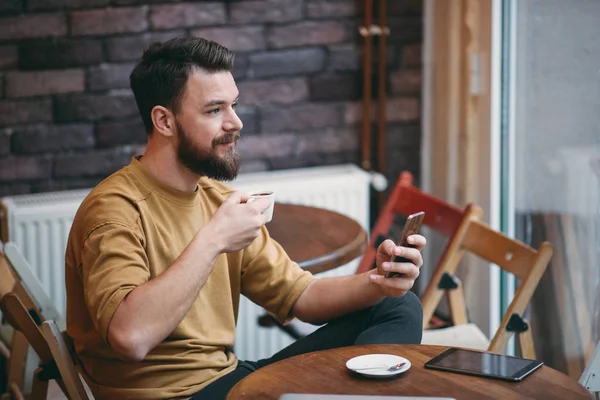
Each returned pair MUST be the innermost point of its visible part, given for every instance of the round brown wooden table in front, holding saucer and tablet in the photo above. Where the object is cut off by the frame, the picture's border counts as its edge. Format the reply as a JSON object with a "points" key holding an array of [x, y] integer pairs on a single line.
{"points": [[325, 372]]}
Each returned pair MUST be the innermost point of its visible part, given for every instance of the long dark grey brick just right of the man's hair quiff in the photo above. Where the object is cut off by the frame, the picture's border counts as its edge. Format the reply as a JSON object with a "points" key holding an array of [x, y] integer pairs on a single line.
{"points": [[286, 62]]}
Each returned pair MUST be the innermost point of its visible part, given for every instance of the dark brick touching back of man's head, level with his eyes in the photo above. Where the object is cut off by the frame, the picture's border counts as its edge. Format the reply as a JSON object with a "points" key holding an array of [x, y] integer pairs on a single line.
{"points": [[92, 107]]}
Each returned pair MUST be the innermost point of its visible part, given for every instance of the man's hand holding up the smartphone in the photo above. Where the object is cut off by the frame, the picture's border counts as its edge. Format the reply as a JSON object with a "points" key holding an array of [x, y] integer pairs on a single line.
{"points": [[398, 285]]}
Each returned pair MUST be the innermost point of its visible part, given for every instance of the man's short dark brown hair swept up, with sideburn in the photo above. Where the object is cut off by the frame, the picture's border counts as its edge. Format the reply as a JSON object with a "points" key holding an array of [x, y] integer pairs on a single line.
{"points": [[161, 75]]}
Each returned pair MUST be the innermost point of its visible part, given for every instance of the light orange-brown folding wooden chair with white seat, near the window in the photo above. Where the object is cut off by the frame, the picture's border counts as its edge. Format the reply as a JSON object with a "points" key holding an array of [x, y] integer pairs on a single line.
{"points": [[513, 256]]}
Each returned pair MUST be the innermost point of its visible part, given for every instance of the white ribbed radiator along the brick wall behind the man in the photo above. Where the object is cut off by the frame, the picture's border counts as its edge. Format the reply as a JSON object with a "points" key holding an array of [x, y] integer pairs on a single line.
{"points": [[39, 225]]}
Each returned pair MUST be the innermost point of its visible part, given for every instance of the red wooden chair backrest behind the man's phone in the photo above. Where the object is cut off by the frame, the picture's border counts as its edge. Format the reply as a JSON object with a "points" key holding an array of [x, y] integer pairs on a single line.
{"points": [[406, 199]]}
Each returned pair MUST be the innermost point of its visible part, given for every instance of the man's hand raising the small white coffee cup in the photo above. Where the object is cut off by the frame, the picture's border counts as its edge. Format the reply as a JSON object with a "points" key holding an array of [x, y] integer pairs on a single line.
{"points": [[236, 224]]}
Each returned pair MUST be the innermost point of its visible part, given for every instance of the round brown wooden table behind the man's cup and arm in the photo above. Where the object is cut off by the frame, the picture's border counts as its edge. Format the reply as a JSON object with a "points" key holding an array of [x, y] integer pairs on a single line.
{"points": [[317, 239]]}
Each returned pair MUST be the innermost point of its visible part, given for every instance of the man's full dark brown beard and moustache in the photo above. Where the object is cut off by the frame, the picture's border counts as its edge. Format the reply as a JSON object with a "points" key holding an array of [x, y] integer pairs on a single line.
{"points": [[208, 163]]}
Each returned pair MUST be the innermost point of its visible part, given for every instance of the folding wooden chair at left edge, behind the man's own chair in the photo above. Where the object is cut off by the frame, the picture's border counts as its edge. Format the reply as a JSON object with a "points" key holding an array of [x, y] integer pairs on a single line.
{"points": [[16, 277]]}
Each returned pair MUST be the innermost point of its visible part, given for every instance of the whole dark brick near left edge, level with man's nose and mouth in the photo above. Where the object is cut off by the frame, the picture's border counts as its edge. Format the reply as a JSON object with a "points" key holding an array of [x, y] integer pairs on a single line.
{"points": [[52, 138]]}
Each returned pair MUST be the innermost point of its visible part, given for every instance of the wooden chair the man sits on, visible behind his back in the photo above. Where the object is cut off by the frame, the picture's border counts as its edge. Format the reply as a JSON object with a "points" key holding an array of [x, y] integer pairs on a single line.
{"points": [[54, 365]]}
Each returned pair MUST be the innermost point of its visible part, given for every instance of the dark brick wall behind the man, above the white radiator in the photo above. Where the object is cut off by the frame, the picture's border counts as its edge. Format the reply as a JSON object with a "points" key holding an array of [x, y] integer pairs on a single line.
{"points": [[68, 118]]}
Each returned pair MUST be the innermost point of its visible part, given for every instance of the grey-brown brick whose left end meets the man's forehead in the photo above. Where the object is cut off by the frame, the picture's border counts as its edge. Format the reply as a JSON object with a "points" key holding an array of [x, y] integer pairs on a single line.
{"points": [[283, 91]]}
